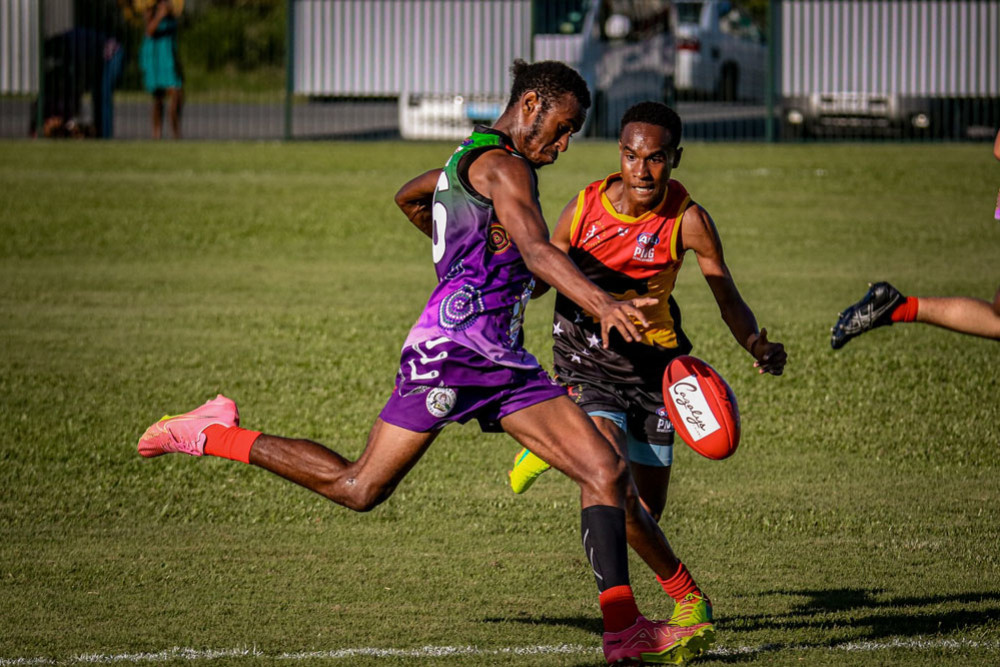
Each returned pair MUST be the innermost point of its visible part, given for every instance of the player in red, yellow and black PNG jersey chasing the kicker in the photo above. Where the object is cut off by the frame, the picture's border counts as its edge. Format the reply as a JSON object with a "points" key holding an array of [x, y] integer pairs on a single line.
{"points": [[629, 234]]}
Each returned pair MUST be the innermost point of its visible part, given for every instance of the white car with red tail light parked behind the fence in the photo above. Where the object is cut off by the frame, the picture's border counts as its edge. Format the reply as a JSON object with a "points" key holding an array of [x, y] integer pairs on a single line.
{"points": [[721, 52]]}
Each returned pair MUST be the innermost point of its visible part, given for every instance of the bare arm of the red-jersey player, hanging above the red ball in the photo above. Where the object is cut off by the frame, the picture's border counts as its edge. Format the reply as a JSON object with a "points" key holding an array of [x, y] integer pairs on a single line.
{"points": [[698, 233]]}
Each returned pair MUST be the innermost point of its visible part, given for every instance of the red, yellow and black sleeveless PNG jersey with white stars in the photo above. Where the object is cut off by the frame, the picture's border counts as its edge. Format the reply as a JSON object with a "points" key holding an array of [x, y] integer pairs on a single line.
{"points": [[627, 257]]}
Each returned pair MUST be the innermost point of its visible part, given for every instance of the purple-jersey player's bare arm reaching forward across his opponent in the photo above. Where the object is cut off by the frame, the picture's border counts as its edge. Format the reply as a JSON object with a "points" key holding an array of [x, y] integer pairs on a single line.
{"points": [[508, 181]]}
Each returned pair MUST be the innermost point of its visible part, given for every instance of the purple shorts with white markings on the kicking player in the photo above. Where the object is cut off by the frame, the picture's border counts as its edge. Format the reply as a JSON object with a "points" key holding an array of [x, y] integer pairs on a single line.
{"points": [[440, 381]]}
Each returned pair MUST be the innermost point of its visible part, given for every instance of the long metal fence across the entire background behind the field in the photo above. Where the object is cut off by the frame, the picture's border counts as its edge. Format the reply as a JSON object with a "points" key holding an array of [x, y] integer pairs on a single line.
{"points": [[297, 69]]}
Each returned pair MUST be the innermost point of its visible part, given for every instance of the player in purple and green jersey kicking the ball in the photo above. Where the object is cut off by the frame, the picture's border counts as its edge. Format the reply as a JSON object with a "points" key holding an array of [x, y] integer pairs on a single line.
{"points": [[464, 358]]}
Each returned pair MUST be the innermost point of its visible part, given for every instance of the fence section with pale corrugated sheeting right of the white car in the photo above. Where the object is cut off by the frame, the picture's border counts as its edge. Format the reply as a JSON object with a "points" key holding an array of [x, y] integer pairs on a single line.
{"points": [[926, 69]]}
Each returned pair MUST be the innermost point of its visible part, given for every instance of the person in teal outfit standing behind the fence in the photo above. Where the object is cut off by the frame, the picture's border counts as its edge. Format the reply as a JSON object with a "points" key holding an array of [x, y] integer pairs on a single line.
{"points": [[161, 66]]}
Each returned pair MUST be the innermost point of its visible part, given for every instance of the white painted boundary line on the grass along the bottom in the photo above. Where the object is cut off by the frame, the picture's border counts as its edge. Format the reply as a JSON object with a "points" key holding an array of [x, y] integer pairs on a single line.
{"points": [[918, 644]]}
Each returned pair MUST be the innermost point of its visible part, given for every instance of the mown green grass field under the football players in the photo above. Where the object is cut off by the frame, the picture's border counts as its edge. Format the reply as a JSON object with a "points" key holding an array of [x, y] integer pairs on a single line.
{"points": [[859, 523]]}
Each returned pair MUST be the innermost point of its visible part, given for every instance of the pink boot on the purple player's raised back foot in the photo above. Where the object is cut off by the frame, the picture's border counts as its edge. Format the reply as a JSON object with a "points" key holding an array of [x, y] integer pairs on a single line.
{"points": [[185, 433]]}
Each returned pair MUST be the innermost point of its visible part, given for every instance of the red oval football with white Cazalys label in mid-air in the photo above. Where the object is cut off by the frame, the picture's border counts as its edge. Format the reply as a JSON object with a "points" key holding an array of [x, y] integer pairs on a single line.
{"points": [[702, 407]]}
